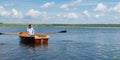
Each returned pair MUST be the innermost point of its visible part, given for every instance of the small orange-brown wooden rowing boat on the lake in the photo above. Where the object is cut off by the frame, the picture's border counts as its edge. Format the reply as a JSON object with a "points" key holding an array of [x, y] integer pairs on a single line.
{"points": [[36, 39]]}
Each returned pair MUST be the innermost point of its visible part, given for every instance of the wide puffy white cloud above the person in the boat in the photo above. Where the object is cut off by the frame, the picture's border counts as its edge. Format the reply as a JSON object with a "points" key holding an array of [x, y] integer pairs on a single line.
{"points": [[35, 14]]}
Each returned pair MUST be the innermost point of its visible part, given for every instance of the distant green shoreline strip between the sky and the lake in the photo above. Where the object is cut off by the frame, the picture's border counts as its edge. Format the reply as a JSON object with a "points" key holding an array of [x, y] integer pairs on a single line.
{"points": [[65, 25]]}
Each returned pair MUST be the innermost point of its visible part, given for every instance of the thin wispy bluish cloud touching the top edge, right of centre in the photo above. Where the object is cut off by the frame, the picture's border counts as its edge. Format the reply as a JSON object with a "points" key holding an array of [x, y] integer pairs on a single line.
{"points": [[72, 4]]}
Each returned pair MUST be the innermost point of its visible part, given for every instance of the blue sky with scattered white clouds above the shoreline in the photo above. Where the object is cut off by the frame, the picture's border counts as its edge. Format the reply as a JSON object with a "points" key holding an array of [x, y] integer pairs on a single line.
{"points": [[60, 11]]}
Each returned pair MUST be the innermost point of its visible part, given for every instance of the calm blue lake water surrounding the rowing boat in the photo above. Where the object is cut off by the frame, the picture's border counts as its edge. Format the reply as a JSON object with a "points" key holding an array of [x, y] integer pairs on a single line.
{"points": [[76, 44]]}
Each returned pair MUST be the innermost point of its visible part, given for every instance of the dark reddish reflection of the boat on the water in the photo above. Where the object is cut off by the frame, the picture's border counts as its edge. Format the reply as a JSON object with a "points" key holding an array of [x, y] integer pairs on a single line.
{"points": [[35, 46]]}
